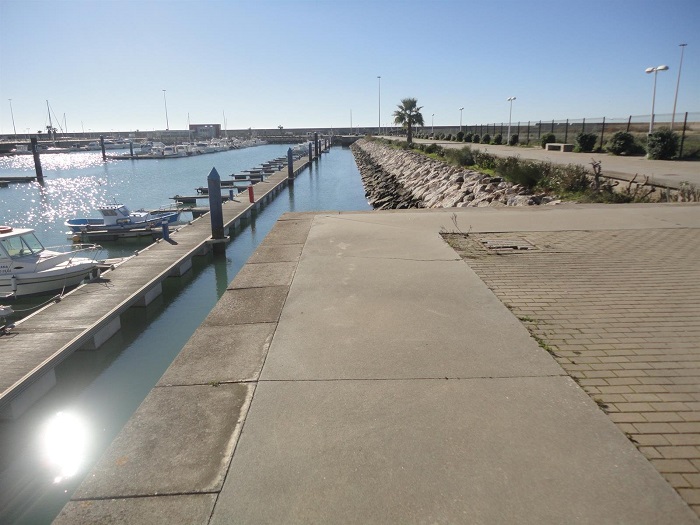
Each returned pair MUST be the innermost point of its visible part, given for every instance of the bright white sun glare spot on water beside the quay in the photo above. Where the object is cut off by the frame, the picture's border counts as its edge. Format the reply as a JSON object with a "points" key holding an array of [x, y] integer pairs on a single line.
{"points": [[64, 442]]}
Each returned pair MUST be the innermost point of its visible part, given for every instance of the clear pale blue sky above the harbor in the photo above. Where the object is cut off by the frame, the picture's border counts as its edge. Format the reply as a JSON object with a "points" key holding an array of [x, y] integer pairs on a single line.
{"points": [[299, 63]]}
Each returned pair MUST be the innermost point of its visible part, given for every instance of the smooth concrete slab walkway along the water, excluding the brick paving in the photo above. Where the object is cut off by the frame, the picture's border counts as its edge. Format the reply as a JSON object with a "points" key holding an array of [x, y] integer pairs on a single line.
{"points": [[358, 370]]}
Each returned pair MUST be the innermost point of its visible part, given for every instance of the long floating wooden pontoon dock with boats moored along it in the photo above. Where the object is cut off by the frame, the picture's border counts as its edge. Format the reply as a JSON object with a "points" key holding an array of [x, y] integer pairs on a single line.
{"points": [[89, 315]]}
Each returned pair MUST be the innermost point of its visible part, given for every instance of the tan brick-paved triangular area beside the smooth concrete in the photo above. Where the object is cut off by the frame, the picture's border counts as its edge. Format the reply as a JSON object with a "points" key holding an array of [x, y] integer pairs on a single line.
{"points": [[620, 312]]}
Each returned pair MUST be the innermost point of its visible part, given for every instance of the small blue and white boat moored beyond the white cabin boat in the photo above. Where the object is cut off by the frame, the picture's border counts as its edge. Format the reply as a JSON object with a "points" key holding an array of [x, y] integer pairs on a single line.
{"points": [[117, 217]]}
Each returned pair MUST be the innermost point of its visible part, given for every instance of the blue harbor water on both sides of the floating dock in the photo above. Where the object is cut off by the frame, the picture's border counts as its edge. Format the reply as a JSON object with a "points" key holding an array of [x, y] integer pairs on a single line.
{"points": [[45, 453]]}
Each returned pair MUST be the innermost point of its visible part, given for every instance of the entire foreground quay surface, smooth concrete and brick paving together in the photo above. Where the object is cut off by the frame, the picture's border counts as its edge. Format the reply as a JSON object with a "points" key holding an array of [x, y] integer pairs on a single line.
{"points": [[358, 369]]}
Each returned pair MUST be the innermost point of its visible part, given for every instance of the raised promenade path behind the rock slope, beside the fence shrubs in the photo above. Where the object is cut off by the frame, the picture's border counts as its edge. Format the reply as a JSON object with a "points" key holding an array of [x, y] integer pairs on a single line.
{"points": [[668, 173]]}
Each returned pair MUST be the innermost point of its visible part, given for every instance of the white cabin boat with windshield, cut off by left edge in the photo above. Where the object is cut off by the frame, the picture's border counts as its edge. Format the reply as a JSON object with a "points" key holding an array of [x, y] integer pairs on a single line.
{"points": [[27, 268]]}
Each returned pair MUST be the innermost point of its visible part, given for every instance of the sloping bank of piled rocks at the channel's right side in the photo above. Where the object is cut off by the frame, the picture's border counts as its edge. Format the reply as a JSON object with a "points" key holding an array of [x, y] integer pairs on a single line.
{"points": [[399, 179]]}
